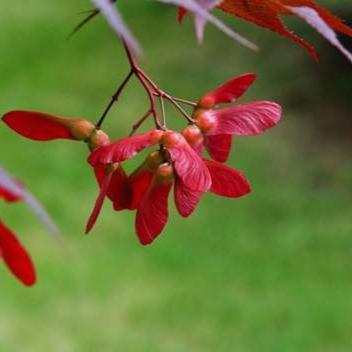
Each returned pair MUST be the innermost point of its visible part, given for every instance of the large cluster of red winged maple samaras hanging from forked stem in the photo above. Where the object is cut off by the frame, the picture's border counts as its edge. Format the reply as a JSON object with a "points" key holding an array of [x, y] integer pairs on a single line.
{"points": [[176, 161]]}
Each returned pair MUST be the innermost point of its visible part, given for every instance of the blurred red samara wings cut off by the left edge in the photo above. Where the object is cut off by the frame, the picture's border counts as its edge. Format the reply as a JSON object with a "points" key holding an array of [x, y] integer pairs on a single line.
{"points": [[12, 252]]}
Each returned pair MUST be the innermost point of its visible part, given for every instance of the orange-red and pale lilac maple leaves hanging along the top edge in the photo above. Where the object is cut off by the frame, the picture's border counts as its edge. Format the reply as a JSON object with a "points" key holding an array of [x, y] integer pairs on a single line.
{"points": [[264, 13]]}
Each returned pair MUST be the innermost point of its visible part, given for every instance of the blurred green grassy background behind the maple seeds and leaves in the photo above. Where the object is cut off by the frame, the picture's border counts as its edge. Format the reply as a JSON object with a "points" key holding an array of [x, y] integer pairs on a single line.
{"points": [[269, 272]]}
